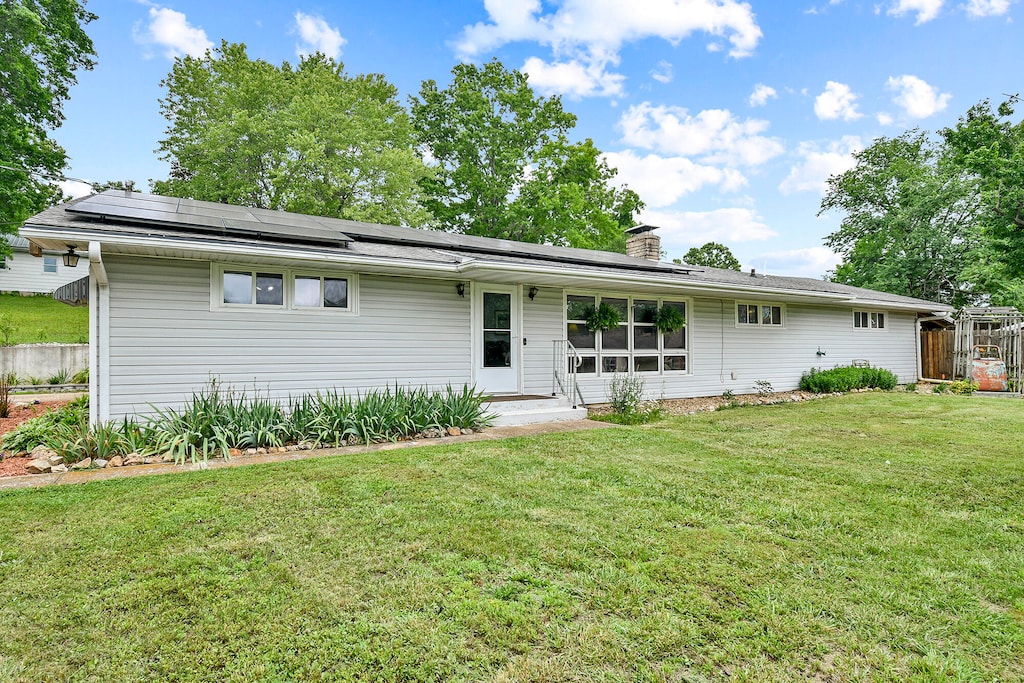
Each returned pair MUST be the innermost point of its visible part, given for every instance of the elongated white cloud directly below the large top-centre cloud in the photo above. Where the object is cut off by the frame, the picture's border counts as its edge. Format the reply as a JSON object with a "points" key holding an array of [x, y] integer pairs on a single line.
{"points": [[715, 135]]}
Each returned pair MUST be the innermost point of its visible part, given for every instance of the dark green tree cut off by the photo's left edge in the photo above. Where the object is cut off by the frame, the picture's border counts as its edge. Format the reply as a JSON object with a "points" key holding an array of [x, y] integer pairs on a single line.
{"points": [[42, 46]]}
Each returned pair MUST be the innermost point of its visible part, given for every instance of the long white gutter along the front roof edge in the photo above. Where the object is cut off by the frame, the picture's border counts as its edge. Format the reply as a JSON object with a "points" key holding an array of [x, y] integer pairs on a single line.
{"points": [[467, 267]]}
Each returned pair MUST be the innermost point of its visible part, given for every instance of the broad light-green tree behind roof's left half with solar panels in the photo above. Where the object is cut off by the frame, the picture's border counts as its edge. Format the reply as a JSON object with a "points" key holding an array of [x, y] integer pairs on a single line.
{"points": [[308, 139]]}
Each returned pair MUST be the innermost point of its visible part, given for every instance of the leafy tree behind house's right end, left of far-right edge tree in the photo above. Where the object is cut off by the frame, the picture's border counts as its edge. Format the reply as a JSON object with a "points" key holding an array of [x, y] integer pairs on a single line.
{"points": [[910, 225]]}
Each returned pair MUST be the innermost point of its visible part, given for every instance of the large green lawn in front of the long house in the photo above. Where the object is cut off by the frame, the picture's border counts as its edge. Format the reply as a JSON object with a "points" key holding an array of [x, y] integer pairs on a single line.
{"points": [[872, 537]]}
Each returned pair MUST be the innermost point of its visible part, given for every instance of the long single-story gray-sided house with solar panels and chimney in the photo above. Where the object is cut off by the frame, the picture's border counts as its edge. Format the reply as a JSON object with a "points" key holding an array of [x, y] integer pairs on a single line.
{"points": [[185, 291]]}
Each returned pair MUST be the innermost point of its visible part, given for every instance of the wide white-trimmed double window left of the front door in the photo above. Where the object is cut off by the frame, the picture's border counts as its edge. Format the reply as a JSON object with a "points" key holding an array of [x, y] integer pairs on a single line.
{"points": [[235, 287]]}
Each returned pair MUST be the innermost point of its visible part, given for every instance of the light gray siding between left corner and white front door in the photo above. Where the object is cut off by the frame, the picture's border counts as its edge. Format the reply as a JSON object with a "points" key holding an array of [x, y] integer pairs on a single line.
{"points": [[165, 341]]}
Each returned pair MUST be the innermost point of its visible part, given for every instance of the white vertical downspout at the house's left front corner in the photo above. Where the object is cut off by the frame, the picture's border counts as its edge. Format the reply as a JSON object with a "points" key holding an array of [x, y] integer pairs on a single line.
{"points": [[100, 316]]}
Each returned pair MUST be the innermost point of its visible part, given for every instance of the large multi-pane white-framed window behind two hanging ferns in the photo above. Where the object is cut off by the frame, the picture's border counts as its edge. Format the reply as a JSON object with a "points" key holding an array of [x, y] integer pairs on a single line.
{"points": [[635, 346]]}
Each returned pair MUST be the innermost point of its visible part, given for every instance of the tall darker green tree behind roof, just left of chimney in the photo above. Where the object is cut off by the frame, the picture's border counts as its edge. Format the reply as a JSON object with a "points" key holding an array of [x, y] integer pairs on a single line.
{"points": [[505, 167]]}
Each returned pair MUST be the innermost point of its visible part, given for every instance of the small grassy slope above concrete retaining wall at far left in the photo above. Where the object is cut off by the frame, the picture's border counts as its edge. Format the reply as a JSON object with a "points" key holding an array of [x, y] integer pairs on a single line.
{"points": [[41, 319]]}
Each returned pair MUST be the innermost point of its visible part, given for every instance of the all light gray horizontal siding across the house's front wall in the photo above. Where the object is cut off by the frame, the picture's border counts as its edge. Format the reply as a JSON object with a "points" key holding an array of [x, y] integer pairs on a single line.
{"points": [[166, 341]]}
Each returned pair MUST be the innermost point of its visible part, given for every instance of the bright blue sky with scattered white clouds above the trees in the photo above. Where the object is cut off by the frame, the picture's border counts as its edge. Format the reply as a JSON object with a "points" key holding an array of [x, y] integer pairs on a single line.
{"points": [[727, 117]]}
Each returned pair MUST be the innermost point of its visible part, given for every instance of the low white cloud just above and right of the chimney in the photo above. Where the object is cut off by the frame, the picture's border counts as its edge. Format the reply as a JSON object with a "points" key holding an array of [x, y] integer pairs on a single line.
{"points": [[682, 230]]}
